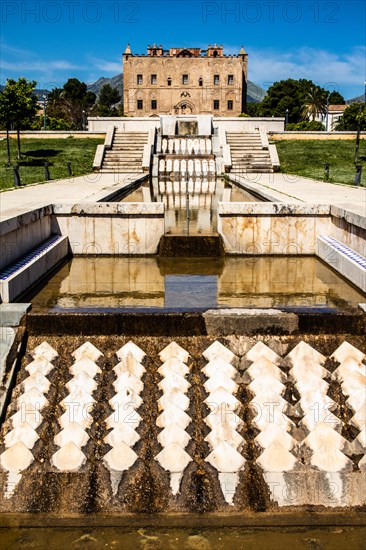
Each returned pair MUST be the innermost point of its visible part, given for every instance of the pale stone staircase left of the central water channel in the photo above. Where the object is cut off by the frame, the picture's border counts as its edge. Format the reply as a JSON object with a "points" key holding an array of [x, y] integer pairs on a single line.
{"points": [[126, 153]]}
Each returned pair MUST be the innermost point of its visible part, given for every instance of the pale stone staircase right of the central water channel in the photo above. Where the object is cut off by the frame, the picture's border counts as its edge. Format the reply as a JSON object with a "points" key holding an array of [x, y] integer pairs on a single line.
{"points": [[247, 153]]}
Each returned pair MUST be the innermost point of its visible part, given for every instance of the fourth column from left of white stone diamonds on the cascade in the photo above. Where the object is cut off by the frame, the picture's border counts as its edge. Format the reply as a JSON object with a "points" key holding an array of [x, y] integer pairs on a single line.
{"points": [[173, 405]]}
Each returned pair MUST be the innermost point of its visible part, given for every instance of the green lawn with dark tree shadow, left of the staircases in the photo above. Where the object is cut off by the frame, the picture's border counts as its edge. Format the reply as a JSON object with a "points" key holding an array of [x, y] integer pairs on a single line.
{"points": [[80, 152]]}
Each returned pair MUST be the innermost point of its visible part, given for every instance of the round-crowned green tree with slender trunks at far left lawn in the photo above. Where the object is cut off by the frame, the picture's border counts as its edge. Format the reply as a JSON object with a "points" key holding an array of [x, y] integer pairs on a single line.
{"points": [[20, 103]]}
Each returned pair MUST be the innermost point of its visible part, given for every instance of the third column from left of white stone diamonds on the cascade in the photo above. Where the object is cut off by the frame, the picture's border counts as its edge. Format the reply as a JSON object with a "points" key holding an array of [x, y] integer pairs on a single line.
{"points": [[124, 420]]}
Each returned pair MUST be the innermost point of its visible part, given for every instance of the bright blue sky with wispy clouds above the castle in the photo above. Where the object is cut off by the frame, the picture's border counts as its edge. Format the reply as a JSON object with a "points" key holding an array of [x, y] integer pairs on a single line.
{"points": [[51, 41]]}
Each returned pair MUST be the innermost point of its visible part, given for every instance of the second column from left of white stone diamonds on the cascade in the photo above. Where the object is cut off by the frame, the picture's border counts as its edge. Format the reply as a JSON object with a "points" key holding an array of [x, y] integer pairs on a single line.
{"points": [[77, 407]]}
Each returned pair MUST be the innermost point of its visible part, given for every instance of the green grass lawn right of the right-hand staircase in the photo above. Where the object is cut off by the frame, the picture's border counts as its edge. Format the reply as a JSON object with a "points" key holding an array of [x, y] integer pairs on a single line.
{"points": [[307, 158]]}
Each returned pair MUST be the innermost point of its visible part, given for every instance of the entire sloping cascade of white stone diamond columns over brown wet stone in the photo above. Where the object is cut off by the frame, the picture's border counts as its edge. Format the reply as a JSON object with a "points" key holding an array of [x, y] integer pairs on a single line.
{"points": [[291, 425]]}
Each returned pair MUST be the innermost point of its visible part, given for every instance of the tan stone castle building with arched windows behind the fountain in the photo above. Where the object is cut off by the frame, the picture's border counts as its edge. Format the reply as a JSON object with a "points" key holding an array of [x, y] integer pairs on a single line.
{"points": [[184, 81]]}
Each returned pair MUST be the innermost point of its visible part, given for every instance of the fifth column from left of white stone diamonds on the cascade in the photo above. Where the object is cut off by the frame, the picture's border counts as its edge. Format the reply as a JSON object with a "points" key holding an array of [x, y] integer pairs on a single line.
{"points": [[224, 438]]}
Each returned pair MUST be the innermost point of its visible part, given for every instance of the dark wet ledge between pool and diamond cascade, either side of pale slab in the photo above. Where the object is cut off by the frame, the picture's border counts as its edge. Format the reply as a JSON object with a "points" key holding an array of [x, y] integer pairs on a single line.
{"points": [[157, 323]]}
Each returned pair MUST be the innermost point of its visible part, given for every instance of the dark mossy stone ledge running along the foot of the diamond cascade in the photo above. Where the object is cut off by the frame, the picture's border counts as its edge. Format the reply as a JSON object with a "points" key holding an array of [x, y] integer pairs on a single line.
{"points": [[295, 518]]}
